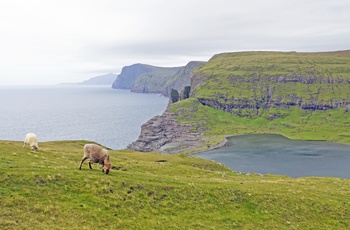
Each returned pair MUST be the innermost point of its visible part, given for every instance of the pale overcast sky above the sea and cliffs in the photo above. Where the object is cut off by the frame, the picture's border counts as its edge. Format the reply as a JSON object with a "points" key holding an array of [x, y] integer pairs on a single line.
{"points": [[49, 41]]}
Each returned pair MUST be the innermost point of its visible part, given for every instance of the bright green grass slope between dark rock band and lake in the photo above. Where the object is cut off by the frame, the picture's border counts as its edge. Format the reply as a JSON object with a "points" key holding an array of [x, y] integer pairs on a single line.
{"points": [[295, 123]]}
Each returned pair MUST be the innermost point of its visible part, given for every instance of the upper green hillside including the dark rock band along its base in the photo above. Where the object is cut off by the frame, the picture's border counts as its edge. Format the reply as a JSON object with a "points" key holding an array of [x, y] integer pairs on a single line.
{"points": [[259, 81]]}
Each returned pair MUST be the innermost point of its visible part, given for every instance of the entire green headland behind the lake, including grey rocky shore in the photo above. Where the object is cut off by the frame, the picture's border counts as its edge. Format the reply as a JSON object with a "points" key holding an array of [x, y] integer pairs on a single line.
{"points": [[300, 95]]}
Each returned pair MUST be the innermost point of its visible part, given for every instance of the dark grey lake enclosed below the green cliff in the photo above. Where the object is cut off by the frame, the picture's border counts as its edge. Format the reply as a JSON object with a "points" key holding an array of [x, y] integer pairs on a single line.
{"points": [[275, 154]]}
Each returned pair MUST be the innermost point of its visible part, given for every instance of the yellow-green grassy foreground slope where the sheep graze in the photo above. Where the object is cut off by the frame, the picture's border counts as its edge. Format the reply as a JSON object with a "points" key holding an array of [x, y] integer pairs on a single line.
{"points": [[45, 190]]}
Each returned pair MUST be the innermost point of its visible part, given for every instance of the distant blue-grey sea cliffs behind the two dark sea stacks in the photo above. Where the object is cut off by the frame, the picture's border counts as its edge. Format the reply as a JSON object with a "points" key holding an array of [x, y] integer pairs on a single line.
{"points": [[142, 78]]}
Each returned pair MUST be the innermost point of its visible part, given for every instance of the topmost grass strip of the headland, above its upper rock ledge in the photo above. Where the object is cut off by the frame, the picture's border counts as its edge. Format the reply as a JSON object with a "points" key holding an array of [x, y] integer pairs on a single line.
{"points": [[271, 63]]}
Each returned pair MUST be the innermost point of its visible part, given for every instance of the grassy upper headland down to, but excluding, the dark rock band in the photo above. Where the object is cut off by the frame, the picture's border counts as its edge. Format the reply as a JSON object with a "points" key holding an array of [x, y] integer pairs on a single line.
{"points": [[234, 75]]}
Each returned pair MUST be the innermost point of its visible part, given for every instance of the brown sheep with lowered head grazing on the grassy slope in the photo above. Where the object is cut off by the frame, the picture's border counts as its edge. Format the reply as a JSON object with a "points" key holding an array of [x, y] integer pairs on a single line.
{"points": [[97, 154]]}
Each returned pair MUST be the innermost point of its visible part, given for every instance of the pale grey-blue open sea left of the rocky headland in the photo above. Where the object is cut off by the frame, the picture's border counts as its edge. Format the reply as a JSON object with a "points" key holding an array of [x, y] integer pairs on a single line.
{"points": [[98, 113]]}
